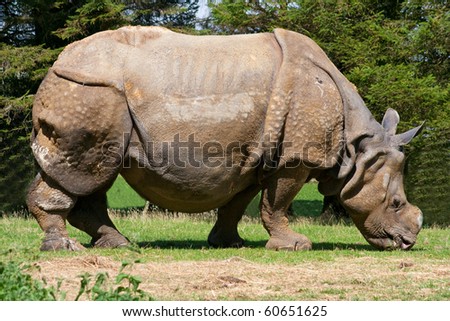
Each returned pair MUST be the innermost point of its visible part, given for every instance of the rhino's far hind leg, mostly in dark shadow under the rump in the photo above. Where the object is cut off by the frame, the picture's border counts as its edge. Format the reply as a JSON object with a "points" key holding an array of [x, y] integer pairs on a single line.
{"points": [[90, 215]]}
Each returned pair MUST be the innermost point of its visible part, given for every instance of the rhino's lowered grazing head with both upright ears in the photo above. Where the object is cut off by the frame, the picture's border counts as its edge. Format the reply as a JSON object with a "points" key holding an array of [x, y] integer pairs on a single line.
{"points": [[373, 192]]}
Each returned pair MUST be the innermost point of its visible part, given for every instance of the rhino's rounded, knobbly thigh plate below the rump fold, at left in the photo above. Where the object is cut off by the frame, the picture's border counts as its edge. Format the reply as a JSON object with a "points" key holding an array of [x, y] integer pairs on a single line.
{"points": [[80, 133]]}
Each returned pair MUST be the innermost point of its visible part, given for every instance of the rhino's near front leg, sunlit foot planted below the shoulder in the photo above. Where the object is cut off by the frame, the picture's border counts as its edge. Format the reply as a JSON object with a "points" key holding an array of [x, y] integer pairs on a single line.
{"points": [[277, 194]]}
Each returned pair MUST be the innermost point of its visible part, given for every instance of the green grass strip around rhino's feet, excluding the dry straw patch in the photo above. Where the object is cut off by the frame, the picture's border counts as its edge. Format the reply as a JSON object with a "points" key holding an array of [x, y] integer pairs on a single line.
{"points": [[184, 238]]}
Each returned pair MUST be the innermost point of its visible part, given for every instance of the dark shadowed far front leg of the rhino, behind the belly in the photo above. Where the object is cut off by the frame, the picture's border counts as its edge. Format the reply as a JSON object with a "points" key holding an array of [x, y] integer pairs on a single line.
{"points": [[225, 233]]}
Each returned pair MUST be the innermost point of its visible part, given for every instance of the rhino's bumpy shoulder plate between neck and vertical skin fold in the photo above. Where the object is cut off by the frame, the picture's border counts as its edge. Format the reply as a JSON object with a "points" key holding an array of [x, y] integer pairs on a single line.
{"points": [[306, 106]]}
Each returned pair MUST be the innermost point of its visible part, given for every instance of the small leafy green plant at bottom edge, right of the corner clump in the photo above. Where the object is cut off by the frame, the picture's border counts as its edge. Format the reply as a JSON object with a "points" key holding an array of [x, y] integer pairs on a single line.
{"points": [[100, 291]]}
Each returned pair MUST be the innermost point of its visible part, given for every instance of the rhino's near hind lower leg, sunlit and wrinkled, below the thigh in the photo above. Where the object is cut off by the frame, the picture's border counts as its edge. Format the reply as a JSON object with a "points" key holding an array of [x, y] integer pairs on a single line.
{"points": [[50, 205]]}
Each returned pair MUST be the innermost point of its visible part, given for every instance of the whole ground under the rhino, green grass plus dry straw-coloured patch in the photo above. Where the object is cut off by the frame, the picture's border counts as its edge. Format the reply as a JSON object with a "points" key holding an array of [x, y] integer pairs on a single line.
{"points": [[175, 262]]}
